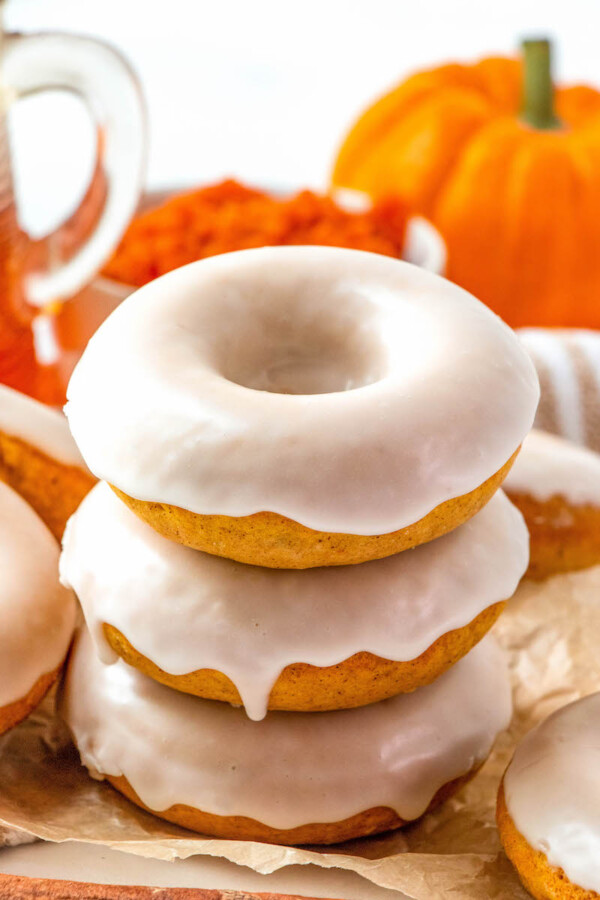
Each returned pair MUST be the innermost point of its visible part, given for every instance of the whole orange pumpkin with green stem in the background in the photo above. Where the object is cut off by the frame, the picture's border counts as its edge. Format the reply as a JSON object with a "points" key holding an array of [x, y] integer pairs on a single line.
{"points": [[510, 176]]}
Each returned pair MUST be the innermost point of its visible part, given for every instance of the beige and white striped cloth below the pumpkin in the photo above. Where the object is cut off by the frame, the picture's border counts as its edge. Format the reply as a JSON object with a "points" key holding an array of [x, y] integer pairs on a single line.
{"points": [[568, 365]]}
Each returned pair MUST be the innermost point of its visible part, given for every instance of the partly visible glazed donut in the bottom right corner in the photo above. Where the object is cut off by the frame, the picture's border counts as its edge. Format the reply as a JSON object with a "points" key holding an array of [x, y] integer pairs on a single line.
{"points": [[549, 805]]}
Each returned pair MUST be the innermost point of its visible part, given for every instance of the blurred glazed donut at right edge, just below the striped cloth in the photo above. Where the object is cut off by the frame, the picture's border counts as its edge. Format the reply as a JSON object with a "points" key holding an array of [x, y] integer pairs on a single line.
{"points": [[556, 485]]}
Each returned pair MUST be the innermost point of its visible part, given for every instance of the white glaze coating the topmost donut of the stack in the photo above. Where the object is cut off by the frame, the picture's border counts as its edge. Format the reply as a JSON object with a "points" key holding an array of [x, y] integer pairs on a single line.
{"points": [[429, 393]]}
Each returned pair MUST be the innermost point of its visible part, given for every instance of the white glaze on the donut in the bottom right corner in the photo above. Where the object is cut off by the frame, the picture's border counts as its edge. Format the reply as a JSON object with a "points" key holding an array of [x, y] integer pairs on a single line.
{"points": [[552, 790]]}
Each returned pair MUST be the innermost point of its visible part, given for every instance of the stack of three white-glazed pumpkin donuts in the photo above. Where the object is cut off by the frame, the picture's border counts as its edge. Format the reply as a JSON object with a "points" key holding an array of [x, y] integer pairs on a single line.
{"points": [[297, 545]]}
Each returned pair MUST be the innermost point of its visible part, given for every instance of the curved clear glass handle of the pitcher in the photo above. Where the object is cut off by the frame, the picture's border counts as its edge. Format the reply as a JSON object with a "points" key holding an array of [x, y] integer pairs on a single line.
{"points": [[108, 86]]}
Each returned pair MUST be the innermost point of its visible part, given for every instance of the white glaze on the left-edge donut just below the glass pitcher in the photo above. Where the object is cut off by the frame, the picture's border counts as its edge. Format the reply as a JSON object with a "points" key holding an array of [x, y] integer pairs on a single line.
{"points": [[41, 426]]}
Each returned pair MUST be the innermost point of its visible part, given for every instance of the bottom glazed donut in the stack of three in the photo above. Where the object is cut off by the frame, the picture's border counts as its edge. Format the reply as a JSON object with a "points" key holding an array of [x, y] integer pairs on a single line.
{"points": [[294, 777]]}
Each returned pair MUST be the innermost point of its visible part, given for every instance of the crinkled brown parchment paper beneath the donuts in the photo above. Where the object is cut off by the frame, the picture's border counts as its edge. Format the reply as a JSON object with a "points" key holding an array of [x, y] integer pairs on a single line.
{"points": [[550, 632]]}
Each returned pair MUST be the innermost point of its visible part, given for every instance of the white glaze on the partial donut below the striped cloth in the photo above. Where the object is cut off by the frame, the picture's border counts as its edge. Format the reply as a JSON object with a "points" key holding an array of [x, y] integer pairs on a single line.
{"points": [[549, 466]]}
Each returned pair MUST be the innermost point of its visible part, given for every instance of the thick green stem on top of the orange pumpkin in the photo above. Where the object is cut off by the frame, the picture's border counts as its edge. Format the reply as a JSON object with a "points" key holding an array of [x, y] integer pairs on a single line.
{"points": [[537, 102]]}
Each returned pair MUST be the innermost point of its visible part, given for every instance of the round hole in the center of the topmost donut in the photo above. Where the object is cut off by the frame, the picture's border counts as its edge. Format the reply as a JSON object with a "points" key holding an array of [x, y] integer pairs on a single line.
{"points": [[285, 350]]}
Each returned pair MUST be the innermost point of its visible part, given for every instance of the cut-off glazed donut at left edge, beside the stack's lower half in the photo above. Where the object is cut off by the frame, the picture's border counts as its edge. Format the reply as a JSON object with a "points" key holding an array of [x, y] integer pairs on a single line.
{"points": [[37, 614]]}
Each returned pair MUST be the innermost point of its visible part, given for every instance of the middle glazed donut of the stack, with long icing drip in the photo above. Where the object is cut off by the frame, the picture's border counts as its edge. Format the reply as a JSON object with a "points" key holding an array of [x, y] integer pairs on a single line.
{"points": [[328, 638]]}
